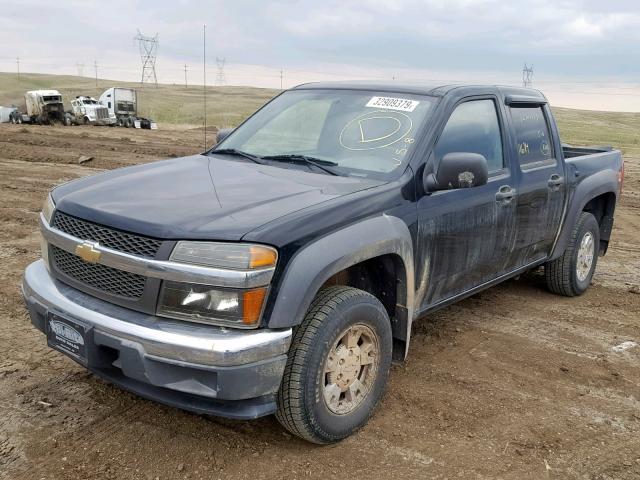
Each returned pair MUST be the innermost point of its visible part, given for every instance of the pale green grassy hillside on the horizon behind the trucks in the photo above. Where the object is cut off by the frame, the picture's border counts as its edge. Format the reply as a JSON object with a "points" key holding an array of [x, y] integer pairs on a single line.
{"points": [[228, 106]]}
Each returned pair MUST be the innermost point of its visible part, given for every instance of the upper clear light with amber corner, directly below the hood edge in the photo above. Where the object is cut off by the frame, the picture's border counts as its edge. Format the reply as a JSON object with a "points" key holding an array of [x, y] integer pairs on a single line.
{"points": [[236, 256]]}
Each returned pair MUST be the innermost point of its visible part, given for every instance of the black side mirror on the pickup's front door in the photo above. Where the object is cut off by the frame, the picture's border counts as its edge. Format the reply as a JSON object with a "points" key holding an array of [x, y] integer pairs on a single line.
{"points": [[458, 170]]}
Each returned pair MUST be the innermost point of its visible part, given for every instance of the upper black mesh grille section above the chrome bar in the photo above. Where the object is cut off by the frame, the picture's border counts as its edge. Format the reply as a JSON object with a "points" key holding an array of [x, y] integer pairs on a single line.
{"points": [[107, 237]]}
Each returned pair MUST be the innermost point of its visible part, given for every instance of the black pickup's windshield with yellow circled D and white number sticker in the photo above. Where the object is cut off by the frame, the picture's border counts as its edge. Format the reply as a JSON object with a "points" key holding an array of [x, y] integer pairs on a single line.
{"points": [[363, 133]]}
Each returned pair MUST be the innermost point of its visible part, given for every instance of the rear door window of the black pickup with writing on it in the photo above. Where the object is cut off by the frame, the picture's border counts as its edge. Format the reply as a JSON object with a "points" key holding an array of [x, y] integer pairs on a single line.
{"points": [[533, 136]]}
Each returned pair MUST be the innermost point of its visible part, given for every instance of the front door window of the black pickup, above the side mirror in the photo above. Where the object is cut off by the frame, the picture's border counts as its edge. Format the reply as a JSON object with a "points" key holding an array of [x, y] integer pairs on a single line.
{"points": [[473, 127]]}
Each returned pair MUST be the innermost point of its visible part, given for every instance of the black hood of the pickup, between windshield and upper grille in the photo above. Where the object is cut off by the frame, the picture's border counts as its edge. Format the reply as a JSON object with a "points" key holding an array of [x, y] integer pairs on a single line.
{"points": [[199, 197]]}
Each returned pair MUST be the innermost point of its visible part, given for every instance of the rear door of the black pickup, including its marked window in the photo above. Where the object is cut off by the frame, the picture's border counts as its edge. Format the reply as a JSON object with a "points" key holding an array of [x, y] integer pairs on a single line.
{"points": [[541, 188]]}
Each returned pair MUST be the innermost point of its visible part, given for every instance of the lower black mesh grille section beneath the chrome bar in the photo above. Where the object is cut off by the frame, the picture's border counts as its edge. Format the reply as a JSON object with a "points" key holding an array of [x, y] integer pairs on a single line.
{"points": [[101, 277]]}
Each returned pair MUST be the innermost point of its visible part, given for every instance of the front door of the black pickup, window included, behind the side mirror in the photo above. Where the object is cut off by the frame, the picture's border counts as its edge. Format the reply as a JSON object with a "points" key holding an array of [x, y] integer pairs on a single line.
{"points": [[466, 235]]}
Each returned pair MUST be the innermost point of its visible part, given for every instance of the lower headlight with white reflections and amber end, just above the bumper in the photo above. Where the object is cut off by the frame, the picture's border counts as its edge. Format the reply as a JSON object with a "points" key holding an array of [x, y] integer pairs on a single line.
{"points": [[212, 305]]}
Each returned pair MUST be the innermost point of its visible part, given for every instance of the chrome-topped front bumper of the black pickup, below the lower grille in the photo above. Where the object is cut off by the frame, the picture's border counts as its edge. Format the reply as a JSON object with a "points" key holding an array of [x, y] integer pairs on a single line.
{"points": [[196, 367]]}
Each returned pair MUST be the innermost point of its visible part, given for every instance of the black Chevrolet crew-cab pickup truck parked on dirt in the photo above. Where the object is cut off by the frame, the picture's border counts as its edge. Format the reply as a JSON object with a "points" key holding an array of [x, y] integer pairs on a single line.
{"points": [[280, 272]]}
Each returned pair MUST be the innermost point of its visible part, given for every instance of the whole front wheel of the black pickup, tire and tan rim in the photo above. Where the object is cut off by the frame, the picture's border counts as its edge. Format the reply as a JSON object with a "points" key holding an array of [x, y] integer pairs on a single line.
{"points": [[337, 367]]}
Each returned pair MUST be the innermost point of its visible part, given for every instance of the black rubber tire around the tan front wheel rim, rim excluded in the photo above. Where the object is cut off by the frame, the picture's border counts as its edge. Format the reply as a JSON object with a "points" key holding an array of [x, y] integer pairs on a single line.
{"points": [[302, 408]]}
